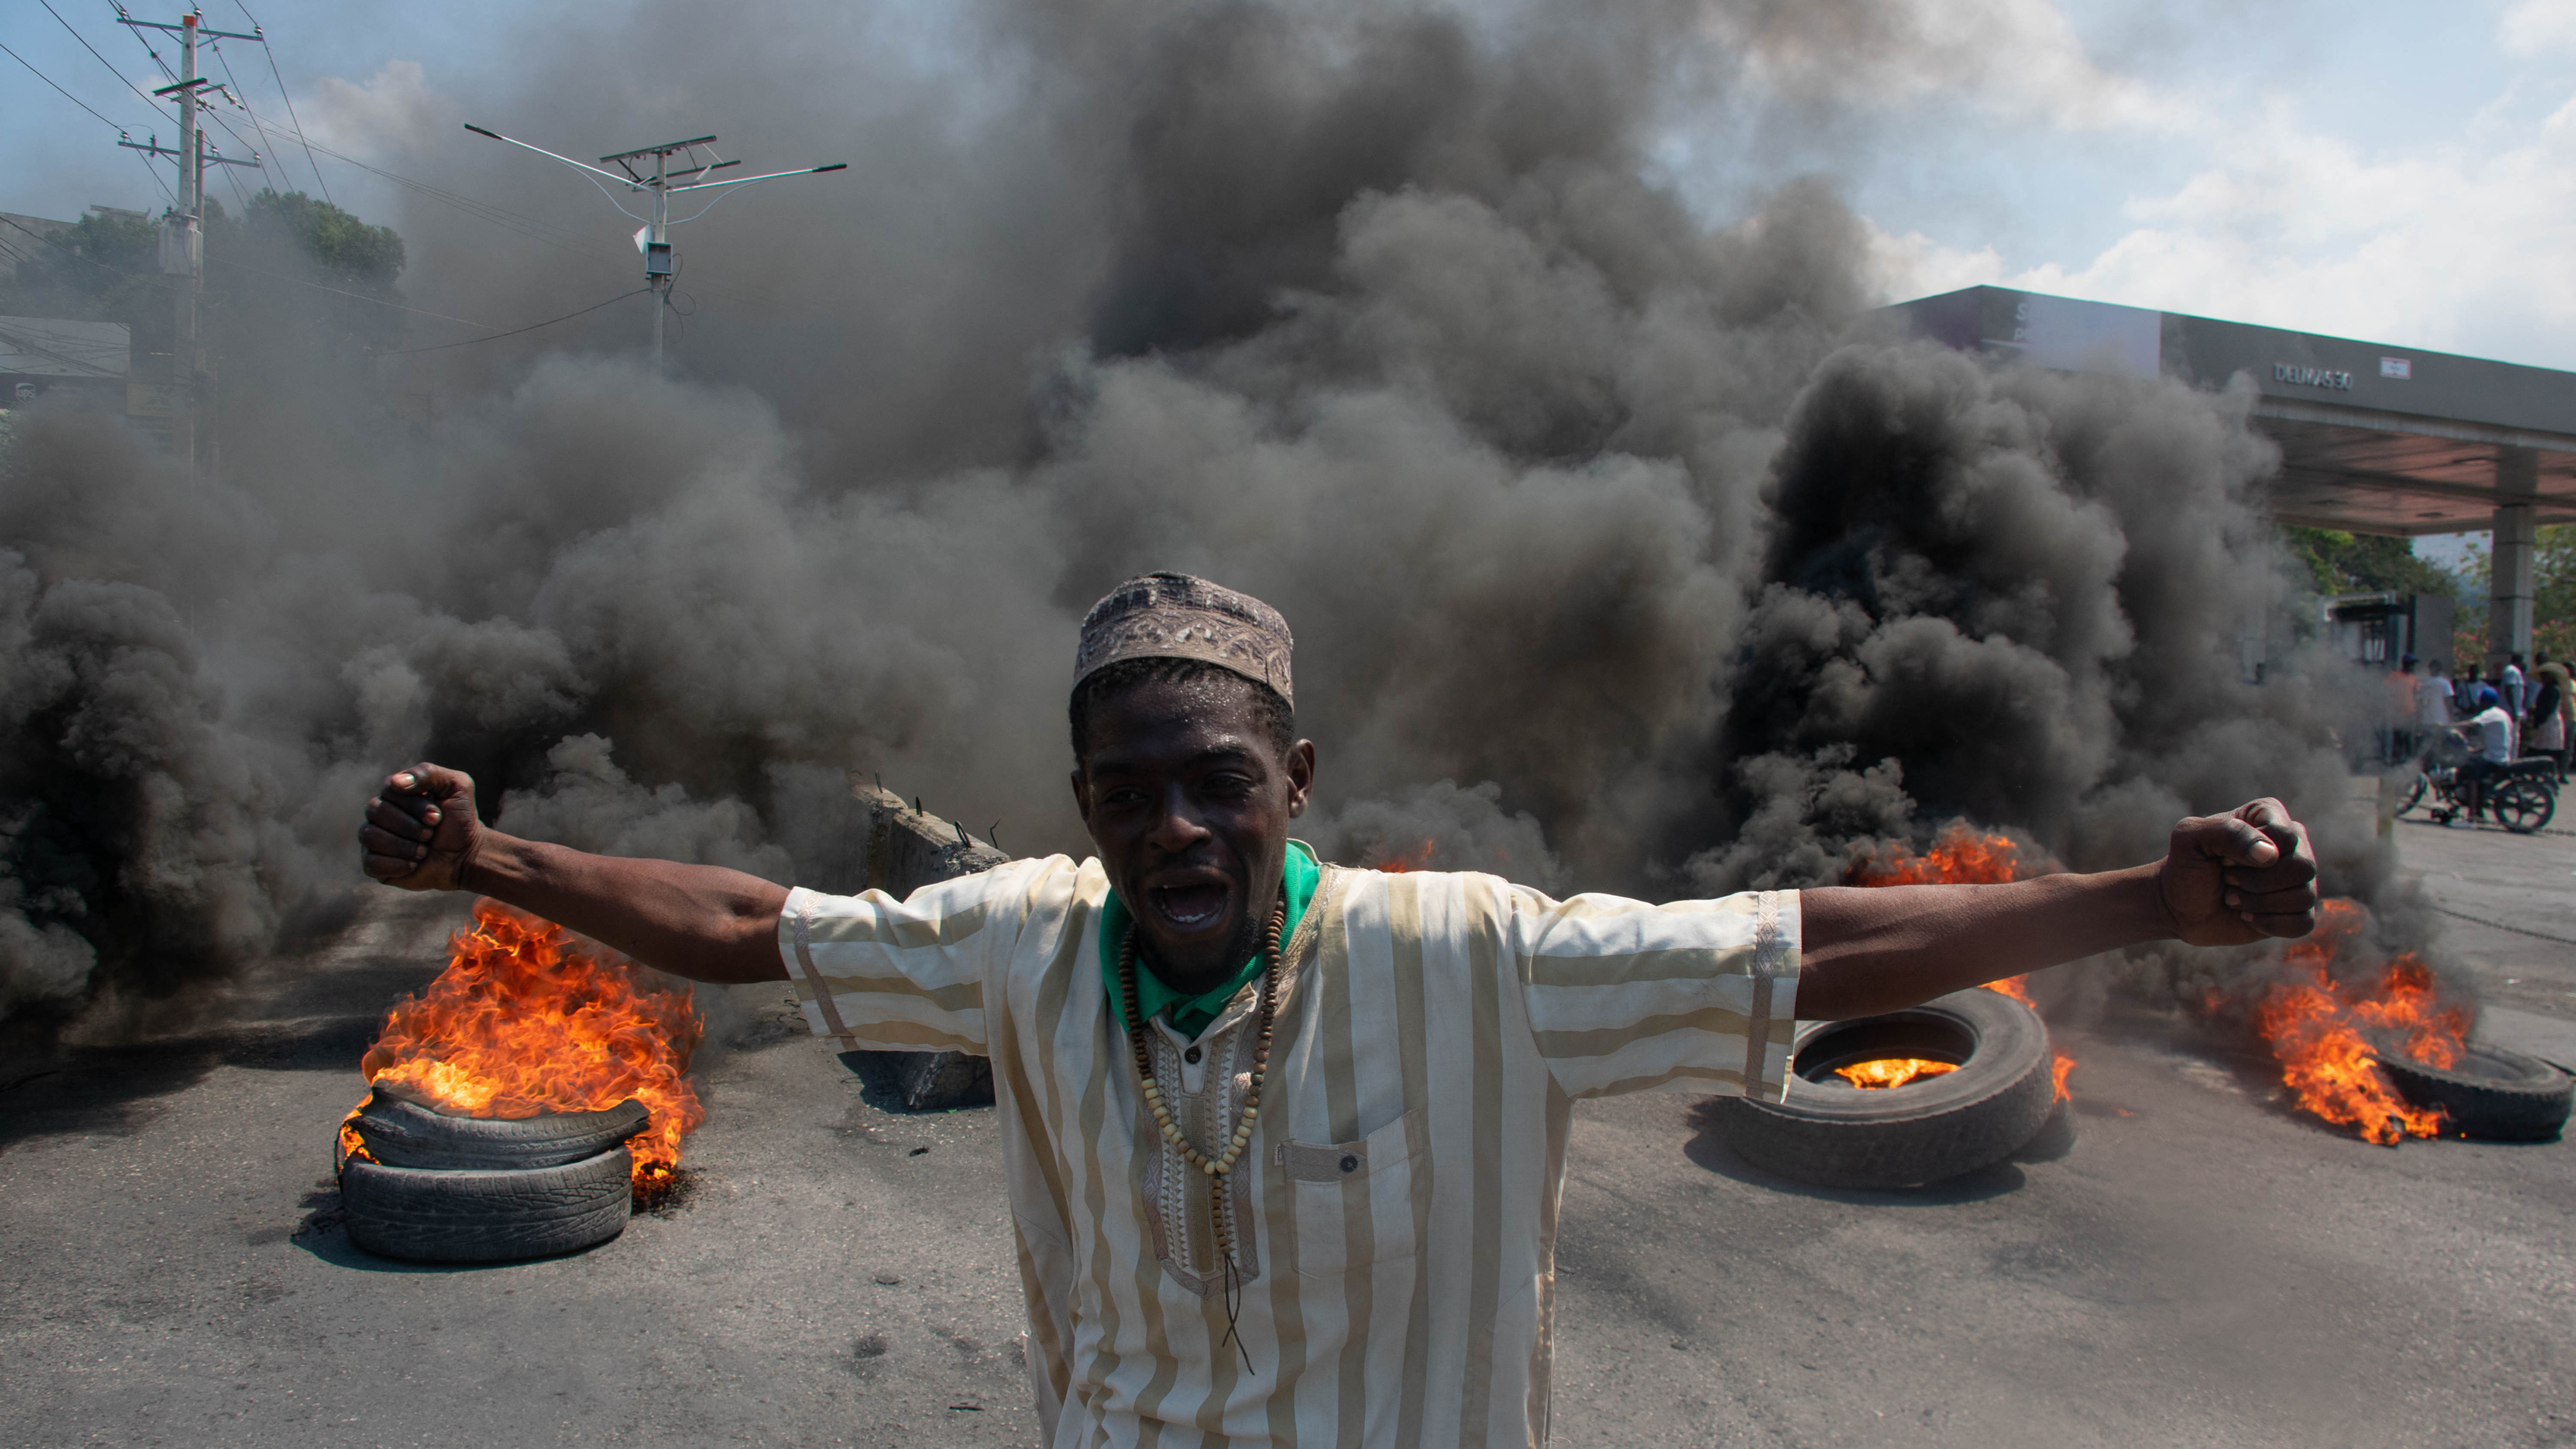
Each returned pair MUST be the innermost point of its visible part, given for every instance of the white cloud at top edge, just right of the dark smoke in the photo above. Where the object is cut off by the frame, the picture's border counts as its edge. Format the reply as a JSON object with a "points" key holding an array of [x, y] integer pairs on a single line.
{"points": [[2016, 58]]}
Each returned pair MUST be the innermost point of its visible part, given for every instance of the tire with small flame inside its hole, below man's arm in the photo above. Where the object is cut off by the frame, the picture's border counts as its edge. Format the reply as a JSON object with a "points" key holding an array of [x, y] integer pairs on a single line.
{"points": [[1987, 1094]]}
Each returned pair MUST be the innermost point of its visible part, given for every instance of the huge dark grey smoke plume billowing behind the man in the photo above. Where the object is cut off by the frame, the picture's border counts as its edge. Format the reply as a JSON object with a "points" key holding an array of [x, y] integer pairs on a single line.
{"points": [[1622, 550]]}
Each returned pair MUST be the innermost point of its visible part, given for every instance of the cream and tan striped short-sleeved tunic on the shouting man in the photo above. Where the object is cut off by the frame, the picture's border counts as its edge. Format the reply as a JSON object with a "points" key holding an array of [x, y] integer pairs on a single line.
{"points": [[1397, 1205]]}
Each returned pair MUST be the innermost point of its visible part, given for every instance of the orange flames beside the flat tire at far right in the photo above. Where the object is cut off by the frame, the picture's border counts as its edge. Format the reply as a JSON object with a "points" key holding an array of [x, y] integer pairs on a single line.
{"points": [[2325, 1033]]}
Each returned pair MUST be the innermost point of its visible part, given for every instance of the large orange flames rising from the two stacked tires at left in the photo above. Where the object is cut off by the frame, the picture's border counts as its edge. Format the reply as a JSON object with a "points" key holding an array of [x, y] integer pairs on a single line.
{"points": [[524, 1022]]}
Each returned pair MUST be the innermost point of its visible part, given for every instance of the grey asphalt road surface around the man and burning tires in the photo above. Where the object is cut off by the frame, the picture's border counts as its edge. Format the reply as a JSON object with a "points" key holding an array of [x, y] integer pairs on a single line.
{"points": [[2196, 1267]]}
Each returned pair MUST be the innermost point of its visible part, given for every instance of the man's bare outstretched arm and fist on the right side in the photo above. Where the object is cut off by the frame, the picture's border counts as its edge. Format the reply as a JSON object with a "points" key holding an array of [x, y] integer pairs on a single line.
{"points": [[2224, 880]]}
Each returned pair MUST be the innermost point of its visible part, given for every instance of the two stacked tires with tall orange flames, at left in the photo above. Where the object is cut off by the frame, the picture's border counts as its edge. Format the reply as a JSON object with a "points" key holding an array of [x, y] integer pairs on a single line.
{"points": [[522, 1105]]}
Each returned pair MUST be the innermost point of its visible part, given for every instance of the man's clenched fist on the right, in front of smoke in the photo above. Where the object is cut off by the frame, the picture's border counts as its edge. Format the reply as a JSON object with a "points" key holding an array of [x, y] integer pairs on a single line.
{"points": [[2240, 878]]}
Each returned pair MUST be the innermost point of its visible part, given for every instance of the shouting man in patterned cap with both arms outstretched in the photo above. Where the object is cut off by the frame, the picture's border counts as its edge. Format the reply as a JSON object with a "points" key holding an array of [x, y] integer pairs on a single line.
{"points": [[1287, 1141]]}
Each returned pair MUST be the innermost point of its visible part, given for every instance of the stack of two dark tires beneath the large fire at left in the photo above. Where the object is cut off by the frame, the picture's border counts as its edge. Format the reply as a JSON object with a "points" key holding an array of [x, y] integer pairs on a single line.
{"points": [[483, 1190]]}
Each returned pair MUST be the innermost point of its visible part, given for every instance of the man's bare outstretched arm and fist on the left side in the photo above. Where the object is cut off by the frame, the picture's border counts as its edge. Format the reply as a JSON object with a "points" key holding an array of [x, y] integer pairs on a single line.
{"points": [[694, 922]]}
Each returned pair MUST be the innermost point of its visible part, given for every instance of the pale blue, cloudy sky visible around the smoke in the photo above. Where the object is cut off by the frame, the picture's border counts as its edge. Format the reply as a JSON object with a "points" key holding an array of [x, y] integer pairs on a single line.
{"points": [[2384, 171]]}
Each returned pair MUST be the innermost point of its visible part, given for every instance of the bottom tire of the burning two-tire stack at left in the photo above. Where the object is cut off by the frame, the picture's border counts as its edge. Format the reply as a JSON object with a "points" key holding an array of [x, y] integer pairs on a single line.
{"points": [[486, 1216]]}
